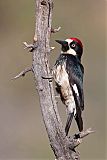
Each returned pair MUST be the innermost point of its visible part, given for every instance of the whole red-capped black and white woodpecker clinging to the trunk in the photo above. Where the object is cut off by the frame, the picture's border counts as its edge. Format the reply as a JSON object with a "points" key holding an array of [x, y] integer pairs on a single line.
{"points": [[68, 75]]}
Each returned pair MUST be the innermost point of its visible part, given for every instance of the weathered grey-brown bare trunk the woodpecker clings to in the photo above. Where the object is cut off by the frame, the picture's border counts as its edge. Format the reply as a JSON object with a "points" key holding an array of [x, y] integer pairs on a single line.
{"points": [[56, 134]]}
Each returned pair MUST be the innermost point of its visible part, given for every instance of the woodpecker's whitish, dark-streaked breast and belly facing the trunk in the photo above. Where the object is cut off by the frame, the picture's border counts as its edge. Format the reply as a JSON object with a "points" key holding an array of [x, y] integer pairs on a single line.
{"points": [[61, 78]]}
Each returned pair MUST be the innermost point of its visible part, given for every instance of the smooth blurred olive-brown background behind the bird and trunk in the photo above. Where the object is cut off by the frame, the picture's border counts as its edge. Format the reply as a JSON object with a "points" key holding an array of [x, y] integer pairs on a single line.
{"points": [[22, 132]]}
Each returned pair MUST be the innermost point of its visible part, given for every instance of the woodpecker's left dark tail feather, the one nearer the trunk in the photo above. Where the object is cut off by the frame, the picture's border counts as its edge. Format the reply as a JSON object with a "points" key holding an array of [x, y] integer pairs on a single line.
{"points": [[68, 123]]}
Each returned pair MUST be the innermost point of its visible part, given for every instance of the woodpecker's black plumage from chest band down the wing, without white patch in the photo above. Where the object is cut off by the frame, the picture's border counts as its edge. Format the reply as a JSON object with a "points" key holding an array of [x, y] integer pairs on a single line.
{"points": [[75, 71]]}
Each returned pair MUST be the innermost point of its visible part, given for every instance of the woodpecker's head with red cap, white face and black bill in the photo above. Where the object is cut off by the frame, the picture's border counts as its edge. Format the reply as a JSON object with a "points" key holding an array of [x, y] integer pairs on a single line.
{"points": [[72, 46]]}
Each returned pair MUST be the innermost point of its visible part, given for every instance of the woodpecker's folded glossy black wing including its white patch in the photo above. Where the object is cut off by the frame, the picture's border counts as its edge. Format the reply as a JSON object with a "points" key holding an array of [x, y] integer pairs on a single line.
{"points": [[76, 71]]}
